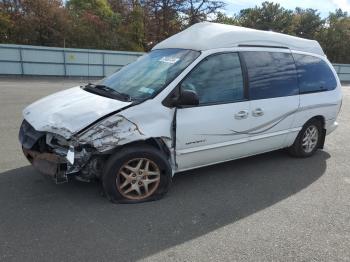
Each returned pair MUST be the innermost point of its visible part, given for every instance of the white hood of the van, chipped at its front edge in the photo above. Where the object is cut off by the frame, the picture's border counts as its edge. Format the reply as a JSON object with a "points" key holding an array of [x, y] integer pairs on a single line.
{"points": [[69, 111]]}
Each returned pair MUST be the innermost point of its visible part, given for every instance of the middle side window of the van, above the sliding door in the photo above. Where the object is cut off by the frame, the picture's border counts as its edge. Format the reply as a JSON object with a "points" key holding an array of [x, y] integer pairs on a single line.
{"points": [[271, 74]]}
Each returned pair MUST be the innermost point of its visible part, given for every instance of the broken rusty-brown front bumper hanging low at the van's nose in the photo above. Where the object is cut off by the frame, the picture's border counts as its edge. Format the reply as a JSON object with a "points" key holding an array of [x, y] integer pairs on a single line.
{"points": [[48, 164]]}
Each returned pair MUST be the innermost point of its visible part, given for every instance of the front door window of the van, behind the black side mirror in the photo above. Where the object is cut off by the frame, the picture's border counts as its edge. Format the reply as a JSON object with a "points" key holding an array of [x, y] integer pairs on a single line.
{"points": [[217, 79]]}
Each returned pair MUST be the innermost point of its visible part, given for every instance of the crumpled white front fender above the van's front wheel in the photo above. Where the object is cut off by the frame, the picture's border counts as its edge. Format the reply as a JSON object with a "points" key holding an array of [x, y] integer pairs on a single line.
{"points": [[136, 123]]}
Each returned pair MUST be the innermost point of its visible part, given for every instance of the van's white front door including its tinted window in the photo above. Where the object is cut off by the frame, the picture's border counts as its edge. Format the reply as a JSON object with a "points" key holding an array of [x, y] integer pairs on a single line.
{"points": [[214, 130]]}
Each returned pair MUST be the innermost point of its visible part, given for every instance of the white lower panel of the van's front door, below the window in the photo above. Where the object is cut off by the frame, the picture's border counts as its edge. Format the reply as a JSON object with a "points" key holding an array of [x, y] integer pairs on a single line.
{"points": [[210, 125]]}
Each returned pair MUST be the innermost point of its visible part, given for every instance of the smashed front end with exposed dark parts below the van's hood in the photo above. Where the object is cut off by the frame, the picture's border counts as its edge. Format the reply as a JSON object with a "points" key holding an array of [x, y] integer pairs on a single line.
{"points": [[53, 155]]}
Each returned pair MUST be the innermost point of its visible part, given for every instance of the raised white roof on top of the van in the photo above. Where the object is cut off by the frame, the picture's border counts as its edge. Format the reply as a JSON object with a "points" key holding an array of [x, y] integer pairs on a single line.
{"points": [[205, 35]]}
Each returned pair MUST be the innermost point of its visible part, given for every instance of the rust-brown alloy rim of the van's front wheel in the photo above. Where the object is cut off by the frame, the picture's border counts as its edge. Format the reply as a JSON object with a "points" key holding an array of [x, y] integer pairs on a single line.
{"points": [[138, 178]]}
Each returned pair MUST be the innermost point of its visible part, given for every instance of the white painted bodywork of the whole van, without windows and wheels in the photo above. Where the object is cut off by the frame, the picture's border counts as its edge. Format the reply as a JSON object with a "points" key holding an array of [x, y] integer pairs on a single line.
{"points": [[205, 134]]}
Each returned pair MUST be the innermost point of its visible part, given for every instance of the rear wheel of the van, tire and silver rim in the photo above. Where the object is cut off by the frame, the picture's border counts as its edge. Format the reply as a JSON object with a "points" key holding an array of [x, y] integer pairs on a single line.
{"points": [[308, 140]]}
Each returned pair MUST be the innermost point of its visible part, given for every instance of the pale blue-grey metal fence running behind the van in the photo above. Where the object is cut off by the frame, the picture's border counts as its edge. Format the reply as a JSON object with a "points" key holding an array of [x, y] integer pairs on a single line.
{"points": [[54, 61]]}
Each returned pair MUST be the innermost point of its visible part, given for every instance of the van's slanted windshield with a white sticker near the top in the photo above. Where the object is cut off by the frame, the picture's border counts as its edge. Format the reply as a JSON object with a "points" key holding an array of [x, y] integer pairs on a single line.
{"points": [[150, 73]]}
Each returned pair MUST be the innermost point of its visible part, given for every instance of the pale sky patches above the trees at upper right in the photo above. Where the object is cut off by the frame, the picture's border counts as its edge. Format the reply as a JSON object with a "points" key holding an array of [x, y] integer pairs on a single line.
{"points": [[324, 6]]}
